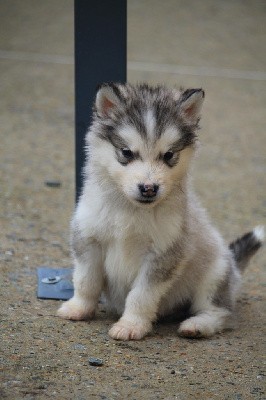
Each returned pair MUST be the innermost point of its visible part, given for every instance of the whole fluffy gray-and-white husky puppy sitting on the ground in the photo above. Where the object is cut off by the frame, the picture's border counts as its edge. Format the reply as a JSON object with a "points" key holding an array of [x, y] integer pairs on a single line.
{"points": [[139, 234]]}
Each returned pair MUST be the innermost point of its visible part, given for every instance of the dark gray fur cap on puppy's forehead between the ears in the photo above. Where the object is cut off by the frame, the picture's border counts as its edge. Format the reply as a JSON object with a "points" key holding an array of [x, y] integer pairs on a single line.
{"points": [[134, 104]]}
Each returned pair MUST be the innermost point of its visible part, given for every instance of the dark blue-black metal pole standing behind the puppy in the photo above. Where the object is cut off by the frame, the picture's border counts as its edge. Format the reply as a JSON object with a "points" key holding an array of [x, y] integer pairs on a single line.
{"points": [[100, 56]]}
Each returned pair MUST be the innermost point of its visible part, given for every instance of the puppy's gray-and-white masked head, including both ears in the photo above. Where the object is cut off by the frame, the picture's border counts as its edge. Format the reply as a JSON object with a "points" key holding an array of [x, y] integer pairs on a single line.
{"points": [[142, 138]]}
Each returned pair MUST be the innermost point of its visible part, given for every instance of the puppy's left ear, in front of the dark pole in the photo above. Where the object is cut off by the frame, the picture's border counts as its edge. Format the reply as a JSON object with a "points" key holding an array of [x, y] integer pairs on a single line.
{"points": [[107, 99]]}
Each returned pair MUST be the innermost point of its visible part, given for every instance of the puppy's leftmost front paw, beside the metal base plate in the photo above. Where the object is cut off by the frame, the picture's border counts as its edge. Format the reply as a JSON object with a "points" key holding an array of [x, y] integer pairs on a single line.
{"points": [[76, 310]]}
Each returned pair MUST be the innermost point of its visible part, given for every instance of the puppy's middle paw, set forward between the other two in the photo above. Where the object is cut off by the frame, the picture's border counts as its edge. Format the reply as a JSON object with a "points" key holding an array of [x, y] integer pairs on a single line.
{"points": [[125, 330]]}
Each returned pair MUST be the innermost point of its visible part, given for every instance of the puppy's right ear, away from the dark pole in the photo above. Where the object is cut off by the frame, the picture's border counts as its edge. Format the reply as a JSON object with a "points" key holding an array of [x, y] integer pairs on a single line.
{"points": [[191, 101]]}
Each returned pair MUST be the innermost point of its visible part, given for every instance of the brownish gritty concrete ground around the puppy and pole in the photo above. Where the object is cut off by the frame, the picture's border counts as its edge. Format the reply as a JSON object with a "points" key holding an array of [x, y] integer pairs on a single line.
{"points": [[217, 45]]}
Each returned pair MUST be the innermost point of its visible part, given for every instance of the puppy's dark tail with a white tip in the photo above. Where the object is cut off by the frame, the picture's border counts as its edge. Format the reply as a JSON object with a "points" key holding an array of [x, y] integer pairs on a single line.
{"points": [[246, 246]]}
